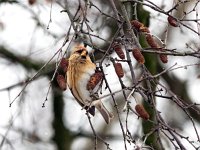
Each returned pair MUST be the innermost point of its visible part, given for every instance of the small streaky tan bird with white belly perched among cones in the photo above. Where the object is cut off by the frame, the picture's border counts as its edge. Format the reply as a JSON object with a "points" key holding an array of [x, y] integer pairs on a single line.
{"points": [[80, 69]]}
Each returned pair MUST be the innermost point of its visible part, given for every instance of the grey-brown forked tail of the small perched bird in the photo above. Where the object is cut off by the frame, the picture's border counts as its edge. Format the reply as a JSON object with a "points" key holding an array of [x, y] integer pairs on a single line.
{"points": [[104, 112]]}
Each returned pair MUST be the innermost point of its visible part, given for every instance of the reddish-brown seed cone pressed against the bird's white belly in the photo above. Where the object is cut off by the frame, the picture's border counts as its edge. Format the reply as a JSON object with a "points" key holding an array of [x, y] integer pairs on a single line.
{"points": [[94, 80]]}
